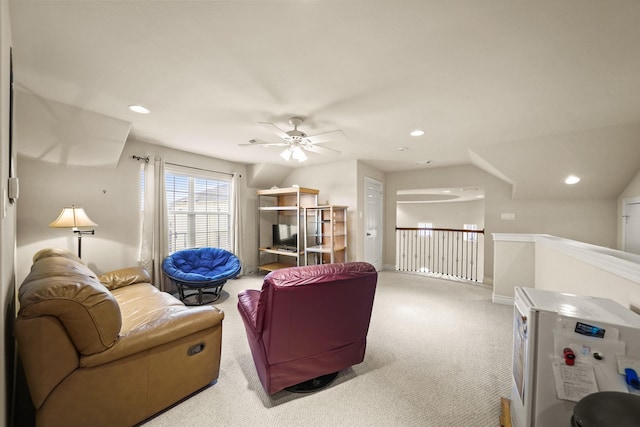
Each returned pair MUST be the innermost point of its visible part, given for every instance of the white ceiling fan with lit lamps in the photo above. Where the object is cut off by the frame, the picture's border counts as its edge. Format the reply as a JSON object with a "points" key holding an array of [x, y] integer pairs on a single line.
{"points": [[297, 141]]}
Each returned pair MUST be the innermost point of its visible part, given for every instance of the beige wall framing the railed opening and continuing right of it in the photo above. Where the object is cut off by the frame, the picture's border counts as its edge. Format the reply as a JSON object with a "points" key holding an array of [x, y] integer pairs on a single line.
{"points": [[591, 221]]}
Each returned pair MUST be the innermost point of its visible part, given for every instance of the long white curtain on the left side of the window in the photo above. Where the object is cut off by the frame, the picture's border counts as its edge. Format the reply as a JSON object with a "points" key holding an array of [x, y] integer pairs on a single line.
{"points": [[154, 246]]}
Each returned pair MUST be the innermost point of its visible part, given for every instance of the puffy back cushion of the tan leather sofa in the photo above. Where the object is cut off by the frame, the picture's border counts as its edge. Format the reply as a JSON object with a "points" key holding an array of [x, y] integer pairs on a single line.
{"points": [[60, 285]]}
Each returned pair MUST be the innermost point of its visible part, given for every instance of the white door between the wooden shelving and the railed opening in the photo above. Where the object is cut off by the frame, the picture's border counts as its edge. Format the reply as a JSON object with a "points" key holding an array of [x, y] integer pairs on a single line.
{"points": [[373, 222]]}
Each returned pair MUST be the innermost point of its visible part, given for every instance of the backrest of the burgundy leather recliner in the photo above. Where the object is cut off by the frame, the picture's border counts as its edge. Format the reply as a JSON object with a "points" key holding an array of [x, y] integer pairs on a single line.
{"points": [[310, 310]]}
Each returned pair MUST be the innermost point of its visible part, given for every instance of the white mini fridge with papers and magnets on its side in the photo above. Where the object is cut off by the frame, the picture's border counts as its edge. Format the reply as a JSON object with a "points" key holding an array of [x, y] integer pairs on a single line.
{"points": [[602, 336]]}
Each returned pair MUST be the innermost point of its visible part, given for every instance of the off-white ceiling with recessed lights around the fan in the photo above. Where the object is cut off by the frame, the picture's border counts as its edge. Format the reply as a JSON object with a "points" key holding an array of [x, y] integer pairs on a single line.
{"points": [[530, 91]]}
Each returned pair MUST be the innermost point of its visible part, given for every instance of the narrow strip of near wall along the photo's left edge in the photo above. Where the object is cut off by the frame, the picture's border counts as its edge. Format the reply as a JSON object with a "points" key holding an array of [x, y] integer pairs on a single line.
{"points": [[7, 222]]}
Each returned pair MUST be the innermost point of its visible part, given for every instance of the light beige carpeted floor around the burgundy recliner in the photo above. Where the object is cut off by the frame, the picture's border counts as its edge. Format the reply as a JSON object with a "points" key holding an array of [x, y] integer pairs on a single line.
{"points": [[438, 354]]}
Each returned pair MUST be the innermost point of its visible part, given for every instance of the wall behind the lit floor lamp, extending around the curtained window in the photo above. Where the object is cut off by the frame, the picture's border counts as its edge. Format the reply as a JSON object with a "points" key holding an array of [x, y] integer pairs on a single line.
{"points": [[110, 197]]}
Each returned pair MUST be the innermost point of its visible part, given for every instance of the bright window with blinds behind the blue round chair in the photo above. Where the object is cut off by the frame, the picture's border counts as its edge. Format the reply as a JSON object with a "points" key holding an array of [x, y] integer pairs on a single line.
{"points": [[198, 210]]}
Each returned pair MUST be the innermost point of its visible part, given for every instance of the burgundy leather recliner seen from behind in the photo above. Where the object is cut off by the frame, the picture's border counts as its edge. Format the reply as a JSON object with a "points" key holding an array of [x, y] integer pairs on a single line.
{"points": [[308, 322]]}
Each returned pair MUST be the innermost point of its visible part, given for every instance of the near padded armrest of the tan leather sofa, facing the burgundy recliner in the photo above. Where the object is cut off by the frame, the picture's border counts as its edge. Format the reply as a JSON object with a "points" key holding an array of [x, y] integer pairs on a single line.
{"points": [[178, 322]]}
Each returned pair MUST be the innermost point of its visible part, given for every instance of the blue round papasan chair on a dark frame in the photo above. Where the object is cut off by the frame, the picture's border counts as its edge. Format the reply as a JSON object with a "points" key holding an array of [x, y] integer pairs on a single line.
{"points": [[204, 270]]}
